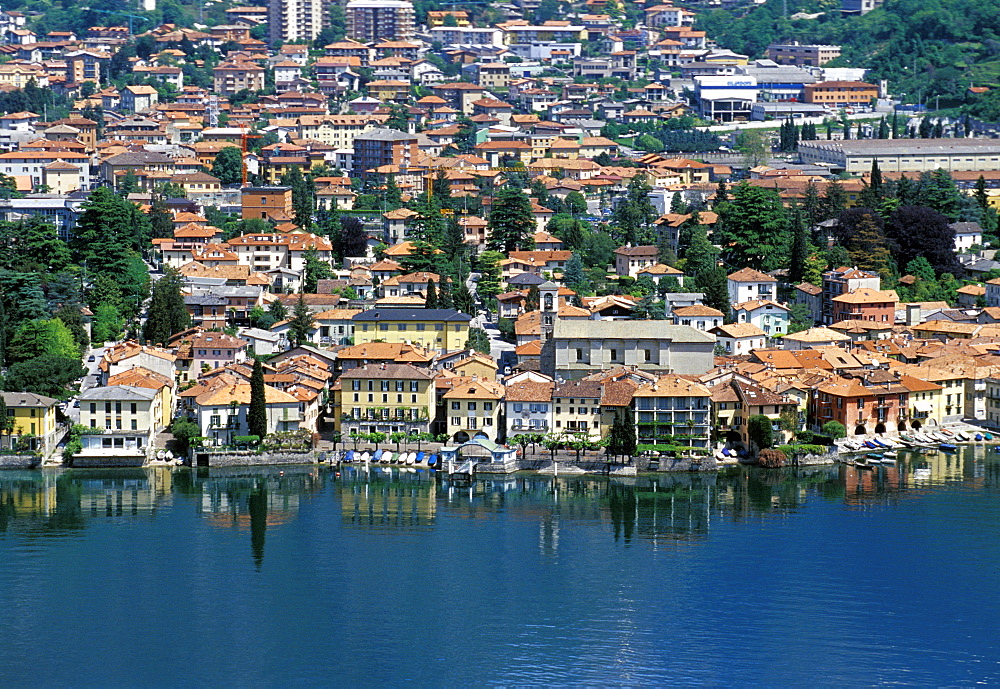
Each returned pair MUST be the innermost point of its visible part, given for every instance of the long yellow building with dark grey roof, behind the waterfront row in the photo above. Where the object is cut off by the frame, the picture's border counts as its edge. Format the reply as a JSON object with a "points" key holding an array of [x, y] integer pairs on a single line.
{"points": [[443, 329]]}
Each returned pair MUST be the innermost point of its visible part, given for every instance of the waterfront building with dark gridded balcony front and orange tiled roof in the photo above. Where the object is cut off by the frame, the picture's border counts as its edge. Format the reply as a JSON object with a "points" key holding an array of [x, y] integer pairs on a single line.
{"points": [[675, 408]]}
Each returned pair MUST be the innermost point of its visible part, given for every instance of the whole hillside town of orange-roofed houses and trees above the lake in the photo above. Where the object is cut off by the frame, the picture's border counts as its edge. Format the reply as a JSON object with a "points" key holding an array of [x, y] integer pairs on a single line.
{"points": [[507, 236]]}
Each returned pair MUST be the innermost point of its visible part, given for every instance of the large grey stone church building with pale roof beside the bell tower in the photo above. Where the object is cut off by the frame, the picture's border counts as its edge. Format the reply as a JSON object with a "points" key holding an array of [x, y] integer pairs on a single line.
{"points": [[580, 347]]}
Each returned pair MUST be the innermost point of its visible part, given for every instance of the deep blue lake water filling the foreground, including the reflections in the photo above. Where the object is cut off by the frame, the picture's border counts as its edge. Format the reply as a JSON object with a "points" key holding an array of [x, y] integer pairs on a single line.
{"points": [[823, 576]]}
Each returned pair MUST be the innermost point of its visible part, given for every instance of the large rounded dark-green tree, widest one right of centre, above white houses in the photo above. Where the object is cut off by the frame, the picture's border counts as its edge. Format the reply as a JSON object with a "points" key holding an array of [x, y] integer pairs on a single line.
{"points": [[753, 228]]}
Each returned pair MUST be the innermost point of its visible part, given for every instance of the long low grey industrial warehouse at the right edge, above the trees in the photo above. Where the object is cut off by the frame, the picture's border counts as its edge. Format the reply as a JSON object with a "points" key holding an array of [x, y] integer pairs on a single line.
{"points": [[904, 155]]}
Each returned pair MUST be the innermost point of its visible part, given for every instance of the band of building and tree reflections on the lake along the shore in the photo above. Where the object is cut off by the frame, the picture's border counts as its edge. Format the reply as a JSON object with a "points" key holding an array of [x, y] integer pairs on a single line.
{"points": [[665, 509]]}
